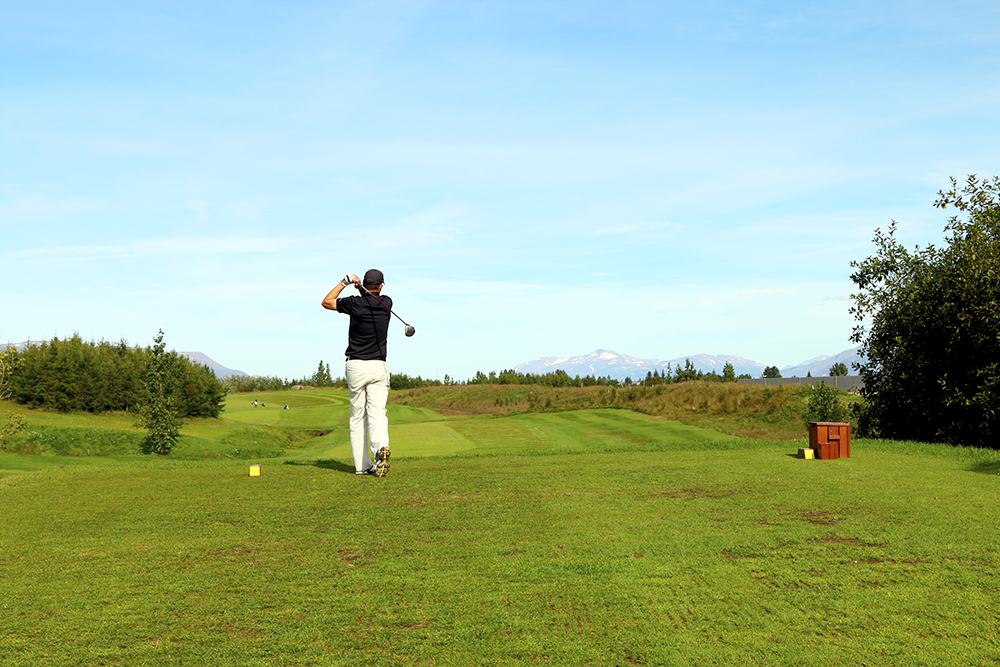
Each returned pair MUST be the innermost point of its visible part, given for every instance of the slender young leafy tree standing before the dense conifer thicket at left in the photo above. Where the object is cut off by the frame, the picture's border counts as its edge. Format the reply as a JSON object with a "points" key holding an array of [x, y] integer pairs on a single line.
{"points": [[159, 412]]}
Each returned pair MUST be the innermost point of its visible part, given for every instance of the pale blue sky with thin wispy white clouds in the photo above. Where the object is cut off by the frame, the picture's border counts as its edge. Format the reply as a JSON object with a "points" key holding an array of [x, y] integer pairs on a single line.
{"points": [[534, 178]]}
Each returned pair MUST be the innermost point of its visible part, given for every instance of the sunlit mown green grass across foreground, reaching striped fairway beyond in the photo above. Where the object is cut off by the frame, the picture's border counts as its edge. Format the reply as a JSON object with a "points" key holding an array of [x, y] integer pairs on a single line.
{"points": [[582, 538]]}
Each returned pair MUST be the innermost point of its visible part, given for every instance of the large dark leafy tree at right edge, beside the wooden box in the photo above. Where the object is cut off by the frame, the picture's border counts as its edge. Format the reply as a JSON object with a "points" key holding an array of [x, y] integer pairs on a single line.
{"points": [[927, 324]]}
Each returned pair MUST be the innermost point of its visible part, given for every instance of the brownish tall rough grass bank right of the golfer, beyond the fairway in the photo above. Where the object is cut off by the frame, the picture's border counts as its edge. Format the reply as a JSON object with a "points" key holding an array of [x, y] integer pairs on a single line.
{"points": [[737, 409]]}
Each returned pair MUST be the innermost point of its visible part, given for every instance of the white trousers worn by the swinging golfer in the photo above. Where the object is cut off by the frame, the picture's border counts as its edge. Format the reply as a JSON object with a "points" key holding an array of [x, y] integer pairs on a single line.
{"points": [[368, 382]]}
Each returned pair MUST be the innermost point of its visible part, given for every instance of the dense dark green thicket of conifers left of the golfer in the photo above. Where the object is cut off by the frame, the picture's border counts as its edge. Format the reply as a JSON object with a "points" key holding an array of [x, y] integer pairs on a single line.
{"points": [[75, 375]]}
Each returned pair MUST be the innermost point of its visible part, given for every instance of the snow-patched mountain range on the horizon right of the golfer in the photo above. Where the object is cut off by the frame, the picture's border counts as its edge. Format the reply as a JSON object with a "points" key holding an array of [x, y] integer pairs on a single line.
{"points": [[607, 363]]}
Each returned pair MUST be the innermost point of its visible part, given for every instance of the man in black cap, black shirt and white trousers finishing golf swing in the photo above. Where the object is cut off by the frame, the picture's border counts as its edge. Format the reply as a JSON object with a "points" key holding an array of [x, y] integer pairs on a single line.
{"points": [[367, 371]]}
